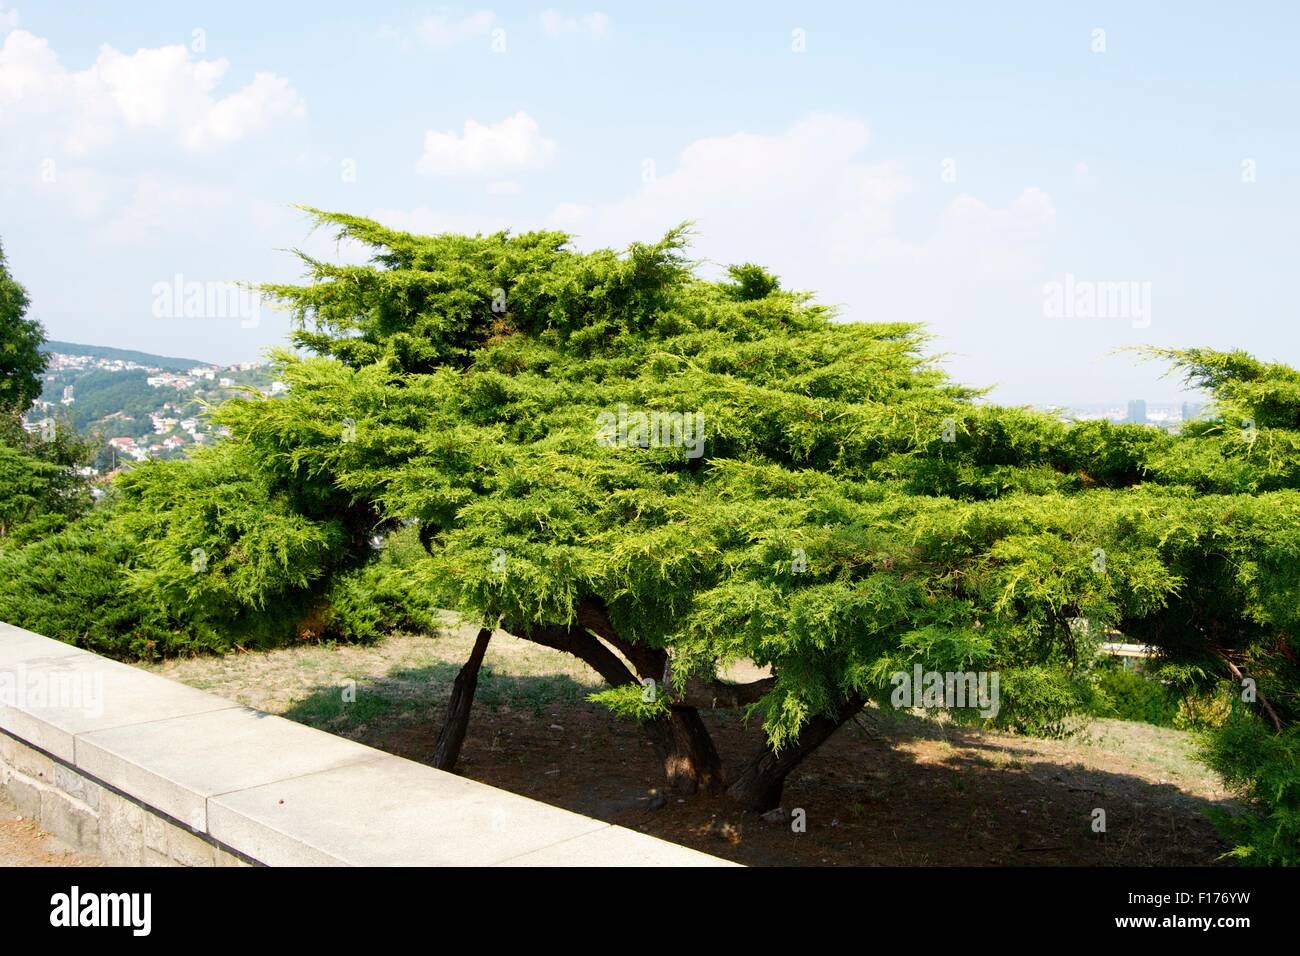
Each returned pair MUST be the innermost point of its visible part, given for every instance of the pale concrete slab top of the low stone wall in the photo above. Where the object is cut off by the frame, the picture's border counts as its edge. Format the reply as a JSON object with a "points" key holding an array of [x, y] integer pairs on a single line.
{"points": [[280, 793]]}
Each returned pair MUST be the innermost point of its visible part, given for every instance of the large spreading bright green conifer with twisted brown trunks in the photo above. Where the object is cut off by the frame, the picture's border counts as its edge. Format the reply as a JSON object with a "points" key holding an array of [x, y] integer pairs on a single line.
{"points": [[606, 451]]}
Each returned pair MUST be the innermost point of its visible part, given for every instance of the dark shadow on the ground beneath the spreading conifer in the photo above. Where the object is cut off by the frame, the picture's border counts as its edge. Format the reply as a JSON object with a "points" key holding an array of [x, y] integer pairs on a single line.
{"points": [[898, 791]]}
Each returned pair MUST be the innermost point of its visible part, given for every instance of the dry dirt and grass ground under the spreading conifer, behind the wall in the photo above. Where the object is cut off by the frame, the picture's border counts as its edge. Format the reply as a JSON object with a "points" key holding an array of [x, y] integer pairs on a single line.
{"points": [[886, 790]]}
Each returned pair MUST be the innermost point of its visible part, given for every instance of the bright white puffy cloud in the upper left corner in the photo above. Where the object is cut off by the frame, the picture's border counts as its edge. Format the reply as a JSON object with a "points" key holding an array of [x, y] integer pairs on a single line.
{"points": [[159, 89]]}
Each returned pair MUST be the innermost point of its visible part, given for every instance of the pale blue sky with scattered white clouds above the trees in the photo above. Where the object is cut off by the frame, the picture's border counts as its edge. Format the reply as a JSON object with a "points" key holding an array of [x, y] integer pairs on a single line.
{"points": [[933, 163]]}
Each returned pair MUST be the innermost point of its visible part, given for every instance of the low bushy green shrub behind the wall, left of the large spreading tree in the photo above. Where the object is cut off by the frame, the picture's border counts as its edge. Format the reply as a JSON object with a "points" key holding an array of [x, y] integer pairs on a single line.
{"points": [[203, 556]]}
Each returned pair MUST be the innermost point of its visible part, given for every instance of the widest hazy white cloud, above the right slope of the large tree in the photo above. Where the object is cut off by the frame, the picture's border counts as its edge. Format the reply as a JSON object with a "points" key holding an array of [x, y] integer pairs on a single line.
{"points": [[811, 197]]}
